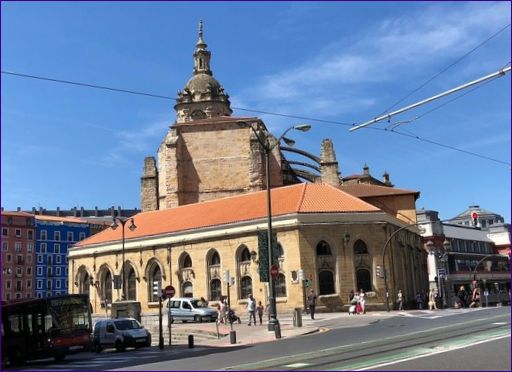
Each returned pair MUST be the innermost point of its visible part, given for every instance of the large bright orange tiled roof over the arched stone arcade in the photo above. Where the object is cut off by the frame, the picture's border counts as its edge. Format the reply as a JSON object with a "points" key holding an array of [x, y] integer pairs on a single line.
{"points": [[300, 198]]}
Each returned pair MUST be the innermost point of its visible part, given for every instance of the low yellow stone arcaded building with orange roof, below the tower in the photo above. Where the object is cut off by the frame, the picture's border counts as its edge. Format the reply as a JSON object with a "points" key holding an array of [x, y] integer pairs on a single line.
{"points": [[336, 238]]}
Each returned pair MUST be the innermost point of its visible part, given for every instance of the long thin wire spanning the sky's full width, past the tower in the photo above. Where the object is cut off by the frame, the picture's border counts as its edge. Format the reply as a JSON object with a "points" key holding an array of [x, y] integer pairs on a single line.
{"points": [[151, 95]]}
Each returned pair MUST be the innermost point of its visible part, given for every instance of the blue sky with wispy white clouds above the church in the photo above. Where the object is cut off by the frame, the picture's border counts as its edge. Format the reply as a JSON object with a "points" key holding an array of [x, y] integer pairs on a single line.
{"points": [[347, 62]]}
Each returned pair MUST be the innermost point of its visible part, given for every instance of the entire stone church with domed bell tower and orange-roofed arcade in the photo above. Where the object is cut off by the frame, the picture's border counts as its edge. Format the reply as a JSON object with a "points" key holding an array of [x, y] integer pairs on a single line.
{"points": [[203, 202]]}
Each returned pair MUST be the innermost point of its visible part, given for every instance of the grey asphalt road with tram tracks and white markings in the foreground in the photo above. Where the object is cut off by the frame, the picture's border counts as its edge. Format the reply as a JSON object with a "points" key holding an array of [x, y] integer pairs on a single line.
{"points": [[478, 339]]}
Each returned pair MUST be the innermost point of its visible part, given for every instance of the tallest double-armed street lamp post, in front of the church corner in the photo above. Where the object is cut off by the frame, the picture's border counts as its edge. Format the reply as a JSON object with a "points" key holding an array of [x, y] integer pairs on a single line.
{"points": [[267, 148]]}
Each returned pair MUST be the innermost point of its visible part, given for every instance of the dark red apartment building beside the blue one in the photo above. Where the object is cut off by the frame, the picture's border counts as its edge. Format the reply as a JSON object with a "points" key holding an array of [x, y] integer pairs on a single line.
{"points": [[18, 247]]}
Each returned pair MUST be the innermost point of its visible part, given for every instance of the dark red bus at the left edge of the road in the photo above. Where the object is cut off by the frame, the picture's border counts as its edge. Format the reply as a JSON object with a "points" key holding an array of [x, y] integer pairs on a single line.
{"points": [[45, 327]]}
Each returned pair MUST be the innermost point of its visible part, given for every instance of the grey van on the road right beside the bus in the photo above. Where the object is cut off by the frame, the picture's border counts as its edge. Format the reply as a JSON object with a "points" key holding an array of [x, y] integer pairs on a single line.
{"points": [[120, 333]]}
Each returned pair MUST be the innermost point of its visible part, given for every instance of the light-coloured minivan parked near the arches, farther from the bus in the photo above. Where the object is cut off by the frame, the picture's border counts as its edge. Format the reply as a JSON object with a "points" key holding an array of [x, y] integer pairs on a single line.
{"points": [[190, 309]]}
